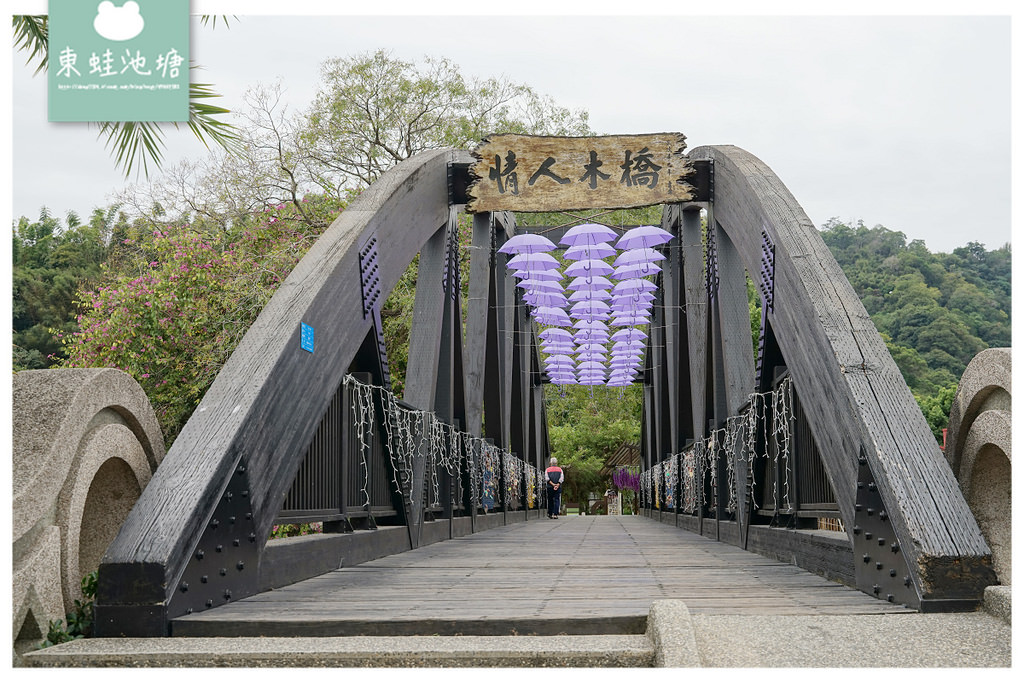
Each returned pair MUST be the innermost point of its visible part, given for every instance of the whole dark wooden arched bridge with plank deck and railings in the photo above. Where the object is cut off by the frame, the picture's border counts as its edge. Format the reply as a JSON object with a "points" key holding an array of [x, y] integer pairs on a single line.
{"points": [[742, 452]]}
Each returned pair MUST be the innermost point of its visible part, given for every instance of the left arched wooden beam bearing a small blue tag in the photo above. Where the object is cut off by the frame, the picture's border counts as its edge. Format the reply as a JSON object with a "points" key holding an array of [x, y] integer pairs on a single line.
{"points": [[240, 451]]}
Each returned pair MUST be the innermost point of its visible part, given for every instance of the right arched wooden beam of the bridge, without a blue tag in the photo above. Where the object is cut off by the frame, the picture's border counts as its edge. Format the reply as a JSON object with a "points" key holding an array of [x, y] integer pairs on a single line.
{"points": [[869, 428]]}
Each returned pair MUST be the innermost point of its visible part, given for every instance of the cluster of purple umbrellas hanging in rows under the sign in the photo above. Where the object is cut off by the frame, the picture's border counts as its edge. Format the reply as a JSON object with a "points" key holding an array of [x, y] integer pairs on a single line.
{"points": [[593, 333]]}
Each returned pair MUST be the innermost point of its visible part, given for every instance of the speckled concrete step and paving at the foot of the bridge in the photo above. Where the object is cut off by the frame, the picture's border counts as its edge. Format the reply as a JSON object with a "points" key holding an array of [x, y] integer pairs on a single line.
{"points": [[674, 638]]}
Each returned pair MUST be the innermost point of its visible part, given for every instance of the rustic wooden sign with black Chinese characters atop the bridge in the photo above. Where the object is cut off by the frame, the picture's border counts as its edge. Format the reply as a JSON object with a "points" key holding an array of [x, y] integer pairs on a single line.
{"points": [[547, 174]]}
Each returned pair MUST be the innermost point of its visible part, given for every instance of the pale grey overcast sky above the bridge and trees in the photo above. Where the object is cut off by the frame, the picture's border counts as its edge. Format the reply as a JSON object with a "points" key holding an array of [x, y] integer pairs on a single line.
{"points": [[897, 121]]}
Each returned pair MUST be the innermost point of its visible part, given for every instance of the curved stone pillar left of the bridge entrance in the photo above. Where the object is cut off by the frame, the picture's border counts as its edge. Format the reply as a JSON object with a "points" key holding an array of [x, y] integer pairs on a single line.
{"points": [[86, 445]]}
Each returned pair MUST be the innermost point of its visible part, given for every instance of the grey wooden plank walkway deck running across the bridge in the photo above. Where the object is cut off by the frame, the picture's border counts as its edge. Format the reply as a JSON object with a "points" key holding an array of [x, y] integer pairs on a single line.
{"points": [[574, 576]]}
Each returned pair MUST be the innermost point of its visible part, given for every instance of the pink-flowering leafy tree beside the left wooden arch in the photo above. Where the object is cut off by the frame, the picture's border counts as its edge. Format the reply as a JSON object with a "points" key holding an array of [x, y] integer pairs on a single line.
{"points": [[174, 303]]}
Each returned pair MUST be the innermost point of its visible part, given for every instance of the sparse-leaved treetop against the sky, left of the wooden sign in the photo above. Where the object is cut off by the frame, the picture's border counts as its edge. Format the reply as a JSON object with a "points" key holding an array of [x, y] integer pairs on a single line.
{"points": [[373, 111]]}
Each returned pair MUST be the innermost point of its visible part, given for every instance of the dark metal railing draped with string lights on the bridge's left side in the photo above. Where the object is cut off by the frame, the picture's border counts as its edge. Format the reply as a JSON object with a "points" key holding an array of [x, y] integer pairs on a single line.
{"points": [[374, 457]]}
